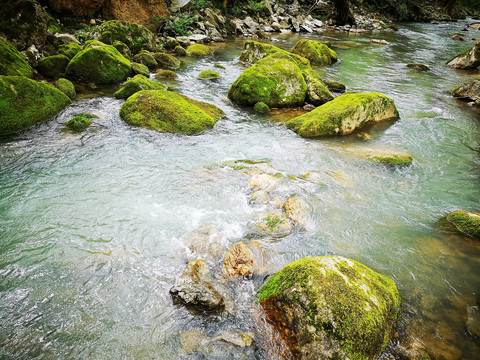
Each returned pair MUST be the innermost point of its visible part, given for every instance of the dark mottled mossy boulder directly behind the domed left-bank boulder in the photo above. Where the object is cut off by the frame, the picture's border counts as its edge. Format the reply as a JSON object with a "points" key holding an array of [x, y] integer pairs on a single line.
{"points": [[135, 36]]}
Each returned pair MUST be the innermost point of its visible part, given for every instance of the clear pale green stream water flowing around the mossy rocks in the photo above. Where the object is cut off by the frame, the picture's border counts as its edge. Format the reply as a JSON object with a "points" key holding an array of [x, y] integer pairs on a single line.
{"points": [[91, 225]]}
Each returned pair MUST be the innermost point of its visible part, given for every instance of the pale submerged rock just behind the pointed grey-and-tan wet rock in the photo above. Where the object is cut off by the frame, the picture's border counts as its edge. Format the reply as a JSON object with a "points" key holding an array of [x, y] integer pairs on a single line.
{"points": [[205, 243]]}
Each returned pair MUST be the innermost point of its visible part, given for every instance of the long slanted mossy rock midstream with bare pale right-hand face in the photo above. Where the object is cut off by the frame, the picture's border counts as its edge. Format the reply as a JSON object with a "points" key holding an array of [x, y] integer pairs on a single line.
{"points": [[344, 114]]}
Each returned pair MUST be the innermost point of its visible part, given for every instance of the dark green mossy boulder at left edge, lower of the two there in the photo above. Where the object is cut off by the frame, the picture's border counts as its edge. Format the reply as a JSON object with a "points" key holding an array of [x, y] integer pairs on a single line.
{"points": [[25, 102]]}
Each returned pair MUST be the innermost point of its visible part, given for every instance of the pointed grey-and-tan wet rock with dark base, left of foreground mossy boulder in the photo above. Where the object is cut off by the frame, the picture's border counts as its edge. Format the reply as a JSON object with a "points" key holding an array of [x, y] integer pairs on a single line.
{"points": [[196, 287]]}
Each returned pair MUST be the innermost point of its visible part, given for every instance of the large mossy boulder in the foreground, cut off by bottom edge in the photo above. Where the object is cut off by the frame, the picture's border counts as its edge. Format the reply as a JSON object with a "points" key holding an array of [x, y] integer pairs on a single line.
{"points": [[330, 307]]}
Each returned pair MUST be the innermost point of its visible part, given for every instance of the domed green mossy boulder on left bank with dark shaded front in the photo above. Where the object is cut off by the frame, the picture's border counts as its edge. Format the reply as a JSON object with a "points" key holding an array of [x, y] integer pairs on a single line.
{"points": [[100, 64]]}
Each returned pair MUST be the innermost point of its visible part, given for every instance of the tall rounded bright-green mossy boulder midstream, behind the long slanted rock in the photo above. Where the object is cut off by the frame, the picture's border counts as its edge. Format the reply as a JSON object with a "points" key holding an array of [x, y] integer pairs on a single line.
{"points": [[275, 80]]}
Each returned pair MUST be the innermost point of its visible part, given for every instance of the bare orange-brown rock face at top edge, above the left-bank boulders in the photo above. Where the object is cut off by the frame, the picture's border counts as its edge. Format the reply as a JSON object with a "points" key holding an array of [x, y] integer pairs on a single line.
{"points": [[138, 11]]}
